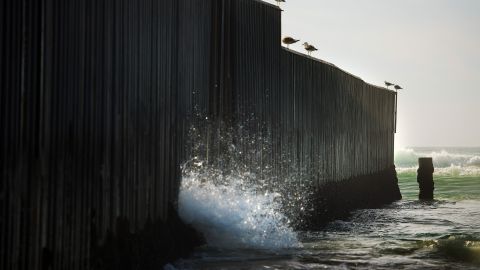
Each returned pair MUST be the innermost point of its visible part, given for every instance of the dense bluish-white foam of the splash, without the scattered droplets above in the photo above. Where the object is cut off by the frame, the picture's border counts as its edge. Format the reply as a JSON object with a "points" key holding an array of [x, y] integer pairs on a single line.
{"points": [[233, 214]]}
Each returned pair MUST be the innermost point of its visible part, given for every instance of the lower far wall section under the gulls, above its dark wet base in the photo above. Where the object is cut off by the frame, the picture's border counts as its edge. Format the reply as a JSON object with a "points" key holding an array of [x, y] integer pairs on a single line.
{"points": [[333, 120]]}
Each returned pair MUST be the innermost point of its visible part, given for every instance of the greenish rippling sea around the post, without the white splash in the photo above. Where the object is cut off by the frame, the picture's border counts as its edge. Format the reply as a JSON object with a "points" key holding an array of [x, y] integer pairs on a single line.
{"points": [[408, 234]]}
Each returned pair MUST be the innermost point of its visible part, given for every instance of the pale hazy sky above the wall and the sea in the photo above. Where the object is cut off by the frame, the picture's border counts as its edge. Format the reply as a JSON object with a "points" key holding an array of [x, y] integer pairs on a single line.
{"points": [[430, 47]]}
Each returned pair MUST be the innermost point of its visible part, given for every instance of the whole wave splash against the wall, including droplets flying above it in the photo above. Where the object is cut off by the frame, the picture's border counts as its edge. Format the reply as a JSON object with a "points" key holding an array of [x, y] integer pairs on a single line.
{"points": [[229, 193]]}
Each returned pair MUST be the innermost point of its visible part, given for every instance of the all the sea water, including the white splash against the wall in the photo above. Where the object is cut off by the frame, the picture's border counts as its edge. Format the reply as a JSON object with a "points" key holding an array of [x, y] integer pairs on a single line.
{"points": [[246, 229]]}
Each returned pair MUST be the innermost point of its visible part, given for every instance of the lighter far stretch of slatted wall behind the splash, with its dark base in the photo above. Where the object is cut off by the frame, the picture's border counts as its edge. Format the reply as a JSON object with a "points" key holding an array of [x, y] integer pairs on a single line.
{"points": [[329, 126]]}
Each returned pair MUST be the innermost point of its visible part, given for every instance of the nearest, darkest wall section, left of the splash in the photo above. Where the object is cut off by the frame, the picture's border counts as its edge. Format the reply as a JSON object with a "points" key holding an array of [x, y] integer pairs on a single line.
{"points": [[88, 145]]}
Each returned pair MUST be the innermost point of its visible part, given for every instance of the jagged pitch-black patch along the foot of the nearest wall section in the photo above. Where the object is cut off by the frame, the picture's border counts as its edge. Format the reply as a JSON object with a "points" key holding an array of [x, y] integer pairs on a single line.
{"points": [[157, 244]]}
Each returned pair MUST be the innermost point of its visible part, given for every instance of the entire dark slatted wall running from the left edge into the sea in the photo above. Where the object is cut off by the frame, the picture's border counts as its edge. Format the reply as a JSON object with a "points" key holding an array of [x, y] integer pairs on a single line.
{"points": [[96, 102]]}
